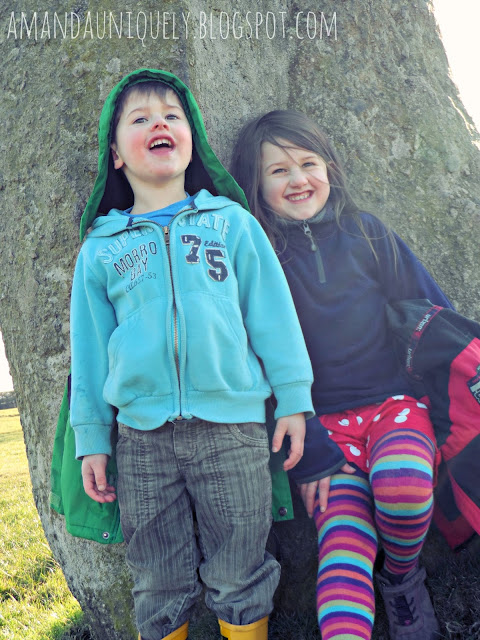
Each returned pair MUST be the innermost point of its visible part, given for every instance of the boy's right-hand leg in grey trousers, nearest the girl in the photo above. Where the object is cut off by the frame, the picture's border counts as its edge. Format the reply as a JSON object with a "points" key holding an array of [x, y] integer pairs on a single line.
{"points": [[227, 473]]}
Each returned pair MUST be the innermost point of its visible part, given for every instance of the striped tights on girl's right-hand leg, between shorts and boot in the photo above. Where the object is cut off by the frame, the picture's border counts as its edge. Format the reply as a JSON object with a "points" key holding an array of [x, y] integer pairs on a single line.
{"points": [[401, 477]]}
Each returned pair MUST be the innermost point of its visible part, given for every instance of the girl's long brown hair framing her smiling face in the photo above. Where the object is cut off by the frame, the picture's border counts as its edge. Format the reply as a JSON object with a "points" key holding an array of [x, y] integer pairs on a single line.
{"points": [[298, 130]]}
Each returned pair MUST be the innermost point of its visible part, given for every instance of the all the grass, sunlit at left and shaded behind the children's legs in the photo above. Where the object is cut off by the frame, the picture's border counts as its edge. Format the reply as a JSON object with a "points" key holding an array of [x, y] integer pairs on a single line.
{"points": [[35, 603]]}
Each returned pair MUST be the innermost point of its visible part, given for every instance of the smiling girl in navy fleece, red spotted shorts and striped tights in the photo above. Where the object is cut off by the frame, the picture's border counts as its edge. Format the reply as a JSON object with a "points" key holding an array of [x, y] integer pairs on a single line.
{"points": [[343, 266]]}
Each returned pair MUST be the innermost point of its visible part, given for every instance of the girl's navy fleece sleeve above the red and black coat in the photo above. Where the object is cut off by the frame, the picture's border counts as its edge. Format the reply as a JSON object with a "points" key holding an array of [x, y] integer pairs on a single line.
{"points": [[401, 273]]}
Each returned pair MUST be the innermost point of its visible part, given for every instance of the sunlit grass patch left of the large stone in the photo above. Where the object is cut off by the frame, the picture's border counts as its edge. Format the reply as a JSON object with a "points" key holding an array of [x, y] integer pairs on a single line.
{"points": [[35, 603]]}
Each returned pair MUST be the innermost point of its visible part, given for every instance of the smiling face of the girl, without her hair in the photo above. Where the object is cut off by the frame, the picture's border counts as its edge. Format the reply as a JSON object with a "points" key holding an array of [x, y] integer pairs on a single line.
{"points": [[294, 181]]}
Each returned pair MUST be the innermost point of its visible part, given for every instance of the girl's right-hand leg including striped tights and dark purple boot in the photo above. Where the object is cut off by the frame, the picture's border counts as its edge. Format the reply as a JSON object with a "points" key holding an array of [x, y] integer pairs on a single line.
{"points": [[401, 475]]}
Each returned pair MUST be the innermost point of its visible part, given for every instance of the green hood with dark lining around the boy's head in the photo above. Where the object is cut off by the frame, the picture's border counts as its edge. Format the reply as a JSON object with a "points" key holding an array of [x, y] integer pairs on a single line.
{"points": [[111, 189]]}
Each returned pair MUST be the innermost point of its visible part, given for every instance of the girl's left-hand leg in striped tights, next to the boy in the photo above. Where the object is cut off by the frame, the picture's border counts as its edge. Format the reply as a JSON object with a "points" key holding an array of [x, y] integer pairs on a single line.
{"points": [[347, 549]]}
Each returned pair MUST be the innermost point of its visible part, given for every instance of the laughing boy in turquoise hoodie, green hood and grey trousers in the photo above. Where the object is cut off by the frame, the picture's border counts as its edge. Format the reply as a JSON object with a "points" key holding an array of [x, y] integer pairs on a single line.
{"points": [[182, 325]]}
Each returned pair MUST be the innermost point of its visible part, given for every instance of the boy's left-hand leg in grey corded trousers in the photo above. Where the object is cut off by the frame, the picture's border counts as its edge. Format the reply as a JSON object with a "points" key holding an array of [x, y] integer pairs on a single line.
{"points": [[157, 523]]}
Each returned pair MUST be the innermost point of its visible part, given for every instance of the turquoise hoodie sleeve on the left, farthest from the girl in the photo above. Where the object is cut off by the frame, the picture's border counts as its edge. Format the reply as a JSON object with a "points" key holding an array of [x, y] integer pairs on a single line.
{"points": [[92, 322]]}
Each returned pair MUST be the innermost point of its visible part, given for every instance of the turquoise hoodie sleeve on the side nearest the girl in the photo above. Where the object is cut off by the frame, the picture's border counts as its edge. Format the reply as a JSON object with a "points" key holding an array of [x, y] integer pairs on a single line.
{"points": [[271, 321]]}
